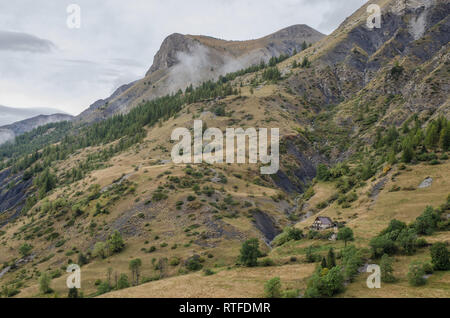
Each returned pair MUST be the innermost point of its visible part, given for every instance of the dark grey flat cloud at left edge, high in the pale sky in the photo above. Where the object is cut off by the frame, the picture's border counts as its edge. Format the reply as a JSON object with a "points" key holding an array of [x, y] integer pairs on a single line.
{"points": [[18, 41]]}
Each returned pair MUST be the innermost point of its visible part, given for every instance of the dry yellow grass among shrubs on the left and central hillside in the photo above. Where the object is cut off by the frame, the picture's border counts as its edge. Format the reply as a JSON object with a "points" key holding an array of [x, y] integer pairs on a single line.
{"points": [[168, 224]]}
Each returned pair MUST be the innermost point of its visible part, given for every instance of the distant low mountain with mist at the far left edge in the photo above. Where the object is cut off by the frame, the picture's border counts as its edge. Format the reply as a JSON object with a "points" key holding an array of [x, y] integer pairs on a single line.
{"points": [[9, 132]]}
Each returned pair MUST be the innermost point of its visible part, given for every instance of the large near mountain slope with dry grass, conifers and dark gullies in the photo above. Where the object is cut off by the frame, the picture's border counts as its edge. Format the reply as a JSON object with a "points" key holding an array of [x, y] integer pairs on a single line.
{"points": [[362, 125]]}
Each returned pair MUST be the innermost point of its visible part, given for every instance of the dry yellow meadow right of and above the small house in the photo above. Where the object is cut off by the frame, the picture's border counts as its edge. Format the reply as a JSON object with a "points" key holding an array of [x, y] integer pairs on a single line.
{"points": [[367, 218]]}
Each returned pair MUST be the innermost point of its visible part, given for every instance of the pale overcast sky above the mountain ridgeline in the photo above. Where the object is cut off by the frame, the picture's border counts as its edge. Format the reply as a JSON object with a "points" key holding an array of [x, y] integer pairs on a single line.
{"points": [[43, 63]]}
